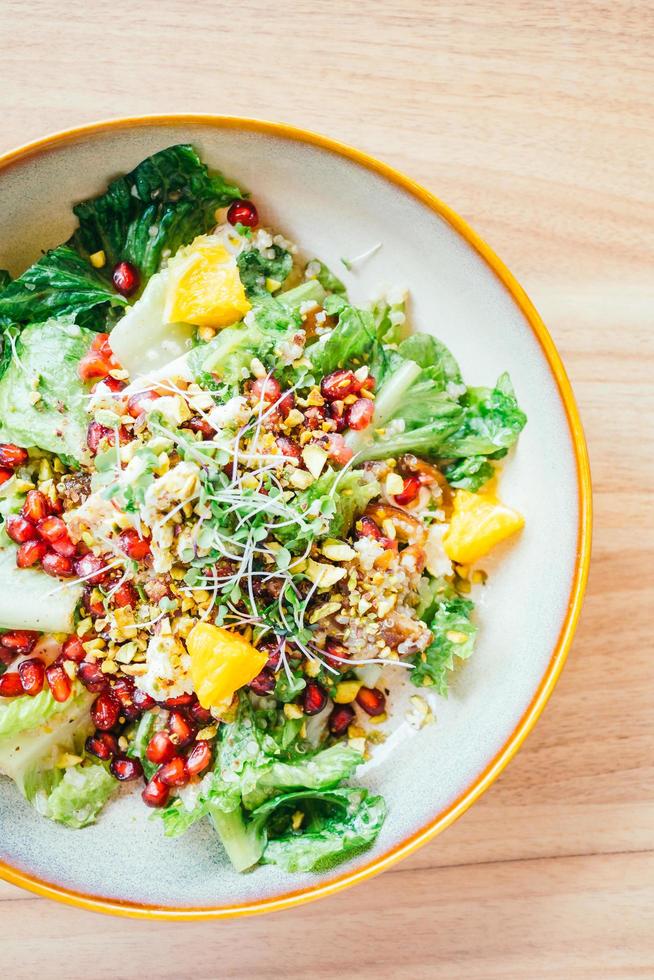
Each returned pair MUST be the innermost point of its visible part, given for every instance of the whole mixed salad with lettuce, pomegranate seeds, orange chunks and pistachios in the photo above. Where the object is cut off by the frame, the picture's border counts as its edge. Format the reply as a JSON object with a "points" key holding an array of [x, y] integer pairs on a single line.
{"points": [[238, 515]]}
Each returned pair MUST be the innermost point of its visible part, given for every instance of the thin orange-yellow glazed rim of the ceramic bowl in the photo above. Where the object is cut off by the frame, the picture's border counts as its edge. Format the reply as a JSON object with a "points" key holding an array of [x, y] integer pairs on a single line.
{"points": [[559, 653]]}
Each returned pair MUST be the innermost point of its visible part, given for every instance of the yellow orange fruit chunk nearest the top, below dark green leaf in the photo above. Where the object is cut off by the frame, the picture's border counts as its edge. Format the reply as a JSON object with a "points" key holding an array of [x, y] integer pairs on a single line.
{"points": [[204, 286]]}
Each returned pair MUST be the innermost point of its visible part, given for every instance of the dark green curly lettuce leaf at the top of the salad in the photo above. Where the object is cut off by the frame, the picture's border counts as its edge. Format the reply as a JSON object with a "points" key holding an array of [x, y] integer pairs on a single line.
{"points": [[165, 202]]}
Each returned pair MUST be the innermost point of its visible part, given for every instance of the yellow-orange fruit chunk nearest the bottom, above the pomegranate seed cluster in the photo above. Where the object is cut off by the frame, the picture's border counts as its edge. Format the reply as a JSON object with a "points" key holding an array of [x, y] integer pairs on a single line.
{"points": [[221, 663]]}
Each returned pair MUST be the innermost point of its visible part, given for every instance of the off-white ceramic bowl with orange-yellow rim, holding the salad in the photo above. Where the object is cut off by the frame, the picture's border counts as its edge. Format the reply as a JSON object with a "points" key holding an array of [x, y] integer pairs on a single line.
{"points": [[335, 201]]}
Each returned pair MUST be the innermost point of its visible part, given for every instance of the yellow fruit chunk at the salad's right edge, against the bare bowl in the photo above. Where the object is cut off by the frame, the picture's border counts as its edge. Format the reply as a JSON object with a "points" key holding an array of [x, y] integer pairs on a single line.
{"points": [[479, 522]]}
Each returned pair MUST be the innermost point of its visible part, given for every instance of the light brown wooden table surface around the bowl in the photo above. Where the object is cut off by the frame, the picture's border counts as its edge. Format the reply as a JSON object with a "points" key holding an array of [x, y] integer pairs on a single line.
{"points": [[534, 120]]}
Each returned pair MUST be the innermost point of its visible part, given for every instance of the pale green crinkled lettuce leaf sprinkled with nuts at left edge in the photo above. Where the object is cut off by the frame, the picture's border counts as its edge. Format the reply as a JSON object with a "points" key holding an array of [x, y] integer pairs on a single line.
{"points": [[46, 365]]}
